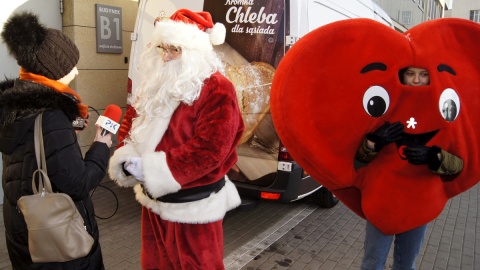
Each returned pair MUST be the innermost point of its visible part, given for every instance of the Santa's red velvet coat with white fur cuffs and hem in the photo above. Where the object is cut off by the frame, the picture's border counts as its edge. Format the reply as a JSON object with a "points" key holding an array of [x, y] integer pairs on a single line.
{"points": [[193, 147]]}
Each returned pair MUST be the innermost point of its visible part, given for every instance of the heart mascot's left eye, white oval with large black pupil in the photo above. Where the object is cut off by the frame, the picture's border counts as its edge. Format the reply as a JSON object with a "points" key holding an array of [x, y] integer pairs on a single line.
{"points": [[376, 101]]}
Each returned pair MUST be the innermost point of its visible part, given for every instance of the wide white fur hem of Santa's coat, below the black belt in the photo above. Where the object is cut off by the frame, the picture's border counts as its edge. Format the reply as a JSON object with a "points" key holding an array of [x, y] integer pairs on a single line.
{"points": [[207, 210]]}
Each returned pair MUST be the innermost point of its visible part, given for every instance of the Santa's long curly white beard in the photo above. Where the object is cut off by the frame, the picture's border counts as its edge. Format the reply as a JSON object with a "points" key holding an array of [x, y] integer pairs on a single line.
{"points": [[167, 83]]}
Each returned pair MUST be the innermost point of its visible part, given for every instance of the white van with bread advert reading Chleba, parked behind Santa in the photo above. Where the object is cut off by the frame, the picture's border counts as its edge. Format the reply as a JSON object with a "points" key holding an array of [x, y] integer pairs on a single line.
{"points": [[259, 34]]}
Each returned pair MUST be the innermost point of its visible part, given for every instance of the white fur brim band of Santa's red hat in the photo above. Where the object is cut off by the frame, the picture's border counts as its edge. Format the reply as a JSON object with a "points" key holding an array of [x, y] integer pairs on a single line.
{"points": [[181, 34]]}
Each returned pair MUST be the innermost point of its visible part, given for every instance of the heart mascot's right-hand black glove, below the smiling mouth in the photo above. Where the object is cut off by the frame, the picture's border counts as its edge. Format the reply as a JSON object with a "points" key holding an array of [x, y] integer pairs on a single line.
{"points": [[421, 154]]}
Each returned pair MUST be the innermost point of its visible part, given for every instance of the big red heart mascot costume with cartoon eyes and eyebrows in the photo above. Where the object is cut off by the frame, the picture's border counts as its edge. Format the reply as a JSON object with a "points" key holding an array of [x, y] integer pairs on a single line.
{"points": [[341, 82]]}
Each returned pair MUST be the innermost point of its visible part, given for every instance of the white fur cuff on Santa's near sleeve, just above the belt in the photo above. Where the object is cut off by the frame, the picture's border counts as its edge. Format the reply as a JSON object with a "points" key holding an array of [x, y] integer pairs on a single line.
{"points": [[157, 177]]}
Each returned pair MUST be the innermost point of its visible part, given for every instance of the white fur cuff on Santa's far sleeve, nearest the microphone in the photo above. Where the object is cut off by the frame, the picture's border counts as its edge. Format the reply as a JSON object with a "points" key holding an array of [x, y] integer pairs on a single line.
{"points": [[115, 166]]}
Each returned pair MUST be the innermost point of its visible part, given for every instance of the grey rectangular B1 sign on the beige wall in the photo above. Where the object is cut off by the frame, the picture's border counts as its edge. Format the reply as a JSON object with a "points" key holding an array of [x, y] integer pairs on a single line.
{"points": [[109, 29]]}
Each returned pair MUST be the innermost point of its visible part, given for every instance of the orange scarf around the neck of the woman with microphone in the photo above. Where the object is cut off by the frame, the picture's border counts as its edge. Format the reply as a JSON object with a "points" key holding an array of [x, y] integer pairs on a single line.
{"points": [[57, 86]]}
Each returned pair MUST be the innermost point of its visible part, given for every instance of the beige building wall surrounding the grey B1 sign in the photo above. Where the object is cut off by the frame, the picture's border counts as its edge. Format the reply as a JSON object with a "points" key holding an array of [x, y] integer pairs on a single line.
{"points": [[102, 78]]}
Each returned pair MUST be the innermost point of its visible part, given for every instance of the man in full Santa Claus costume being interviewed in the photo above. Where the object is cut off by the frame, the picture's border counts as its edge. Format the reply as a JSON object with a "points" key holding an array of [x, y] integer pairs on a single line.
{"points": [[177, 142]]}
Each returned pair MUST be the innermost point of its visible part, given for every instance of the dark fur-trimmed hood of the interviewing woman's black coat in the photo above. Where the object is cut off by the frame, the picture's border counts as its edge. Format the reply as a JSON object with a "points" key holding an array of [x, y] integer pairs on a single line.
{"points": [[20, 99]]}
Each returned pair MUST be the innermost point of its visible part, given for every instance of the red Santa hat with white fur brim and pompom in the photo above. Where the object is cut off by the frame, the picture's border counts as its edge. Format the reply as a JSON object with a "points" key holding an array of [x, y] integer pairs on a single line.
{"points": [[190, 30]]}
